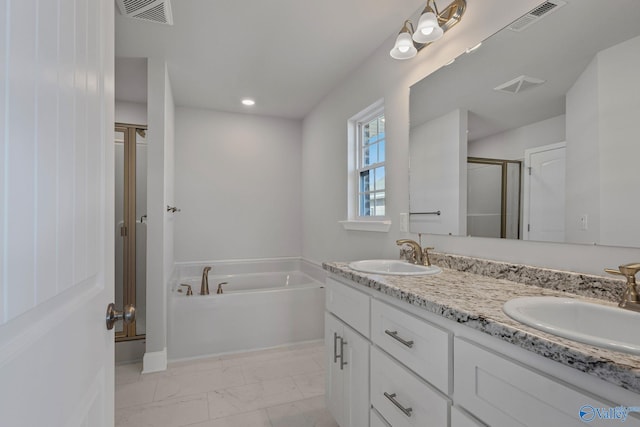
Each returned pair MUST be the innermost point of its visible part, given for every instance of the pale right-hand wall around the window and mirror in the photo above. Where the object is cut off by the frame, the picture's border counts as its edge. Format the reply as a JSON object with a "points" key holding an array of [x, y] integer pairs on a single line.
{"points": [[324, 158]]}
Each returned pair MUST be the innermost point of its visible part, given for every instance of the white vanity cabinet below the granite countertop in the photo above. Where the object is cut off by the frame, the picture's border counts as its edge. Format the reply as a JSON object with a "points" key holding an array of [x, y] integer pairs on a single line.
{"points": [[393, 364]]}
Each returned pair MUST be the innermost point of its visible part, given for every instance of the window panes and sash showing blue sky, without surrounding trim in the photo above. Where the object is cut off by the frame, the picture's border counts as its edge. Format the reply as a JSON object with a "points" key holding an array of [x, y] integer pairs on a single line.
{"points": [[371, 167]]}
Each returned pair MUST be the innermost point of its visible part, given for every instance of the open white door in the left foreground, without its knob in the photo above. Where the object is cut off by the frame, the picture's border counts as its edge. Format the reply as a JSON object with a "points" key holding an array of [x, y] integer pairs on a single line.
{"points": [[56, 212]]}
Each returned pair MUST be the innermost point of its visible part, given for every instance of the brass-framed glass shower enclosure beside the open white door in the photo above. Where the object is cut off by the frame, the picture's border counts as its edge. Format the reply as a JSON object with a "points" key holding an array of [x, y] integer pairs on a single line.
{"points": [[130, 226]]}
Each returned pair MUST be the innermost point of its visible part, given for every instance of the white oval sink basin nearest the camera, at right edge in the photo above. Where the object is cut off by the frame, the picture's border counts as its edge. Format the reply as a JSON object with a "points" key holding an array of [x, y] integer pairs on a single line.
{"points": [[602, 326]]}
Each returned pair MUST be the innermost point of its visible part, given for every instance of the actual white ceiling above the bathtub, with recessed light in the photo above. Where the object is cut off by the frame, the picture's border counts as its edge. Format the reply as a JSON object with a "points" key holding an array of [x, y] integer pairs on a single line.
{"points": [[286, 54]]}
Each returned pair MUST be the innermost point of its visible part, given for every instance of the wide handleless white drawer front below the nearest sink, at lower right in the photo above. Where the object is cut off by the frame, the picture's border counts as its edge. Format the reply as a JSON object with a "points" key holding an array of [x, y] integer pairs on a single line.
{"points": [[501, 392]]}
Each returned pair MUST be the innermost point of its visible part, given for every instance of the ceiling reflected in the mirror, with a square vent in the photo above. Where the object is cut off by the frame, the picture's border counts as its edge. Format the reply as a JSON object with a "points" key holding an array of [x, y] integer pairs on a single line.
{"points": [[556, 49]]}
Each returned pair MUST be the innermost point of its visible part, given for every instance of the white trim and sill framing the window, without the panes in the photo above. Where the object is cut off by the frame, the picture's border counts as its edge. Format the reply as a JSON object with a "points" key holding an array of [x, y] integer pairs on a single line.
{"points": [[355, 222]]}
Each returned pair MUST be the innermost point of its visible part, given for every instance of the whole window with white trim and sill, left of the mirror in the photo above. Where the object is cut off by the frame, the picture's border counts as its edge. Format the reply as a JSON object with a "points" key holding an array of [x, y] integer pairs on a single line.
{"points": [[367, 188]]}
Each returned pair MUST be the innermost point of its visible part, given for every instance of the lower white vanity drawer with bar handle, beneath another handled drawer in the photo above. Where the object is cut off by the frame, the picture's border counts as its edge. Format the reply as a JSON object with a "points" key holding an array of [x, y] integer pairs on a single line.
{"points": [[416, 403]]}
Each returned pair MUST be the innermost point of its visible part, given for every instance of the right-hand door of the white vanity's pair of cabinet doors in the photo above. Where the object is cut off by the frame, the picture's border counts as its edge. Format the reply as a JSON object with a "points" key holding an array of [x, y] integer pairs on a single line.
{"points": [[355, 350]]}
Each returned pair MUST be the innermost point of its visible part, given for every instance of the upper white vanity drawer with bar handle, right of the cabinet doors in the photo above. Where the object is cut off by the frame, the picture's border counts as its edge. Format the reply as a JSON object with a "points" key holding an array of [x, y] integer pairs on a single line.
{"points": [[421, 346]]}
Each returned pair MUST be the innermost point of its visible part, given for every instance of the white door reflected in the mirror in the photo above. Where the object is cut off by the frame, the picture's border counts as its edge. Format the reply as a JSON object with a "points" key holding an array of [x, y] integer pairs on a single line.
{"points": [[544, 193]]}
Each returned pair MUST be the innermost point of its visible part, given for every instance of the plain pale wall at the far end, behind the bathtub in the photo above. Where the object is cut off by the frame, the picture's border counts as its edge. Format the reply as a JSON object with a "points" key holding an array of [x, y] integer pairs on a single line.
{"points": [[238, 185]]}
